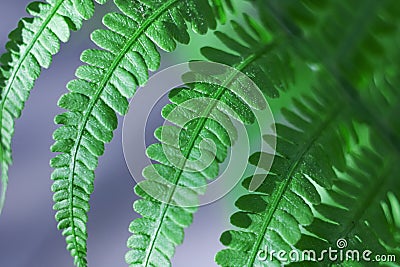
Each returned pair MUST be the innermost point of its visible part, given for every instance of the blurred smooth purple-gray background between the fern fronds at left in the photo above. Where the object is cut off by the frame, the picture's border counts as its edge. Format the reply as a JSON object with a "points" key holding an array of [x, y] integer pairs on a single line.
{"points": [[28, 233]]}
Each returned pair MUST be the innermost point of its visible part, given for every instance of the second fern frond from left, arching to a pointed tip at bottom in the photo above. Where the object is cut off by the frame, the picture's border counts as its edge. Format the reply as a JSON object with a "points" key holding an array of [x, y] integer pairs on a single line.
{"points": [[109, 77]]}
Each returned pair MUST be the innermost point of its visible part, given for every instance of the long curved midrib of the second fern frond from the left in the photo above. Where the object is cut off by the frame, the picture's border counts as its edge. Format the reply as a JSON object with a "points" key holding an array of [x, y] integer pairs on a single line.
{"points": [[153, 17]]}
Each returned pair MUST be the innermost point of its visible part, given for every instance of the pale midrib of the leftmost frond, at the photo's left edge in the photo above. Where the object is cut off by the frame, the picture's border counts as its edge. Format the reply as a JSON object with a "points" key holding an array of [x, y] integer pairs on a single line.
{"points": [[9, 87]]}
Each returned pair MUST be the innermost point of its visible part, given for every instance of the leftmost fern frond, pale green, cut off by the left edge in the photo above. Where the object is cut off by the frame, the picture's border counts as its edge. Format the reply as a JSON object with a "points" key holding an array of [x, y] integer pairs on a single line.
{"points": [[31, 48]]}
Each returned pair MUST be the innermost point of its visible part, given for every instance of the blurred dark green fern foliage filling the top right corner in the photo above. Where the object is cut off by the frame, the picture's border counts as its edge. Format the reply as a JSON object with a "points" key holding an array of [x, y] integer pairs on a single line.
{"points": [[355, 49]]}
